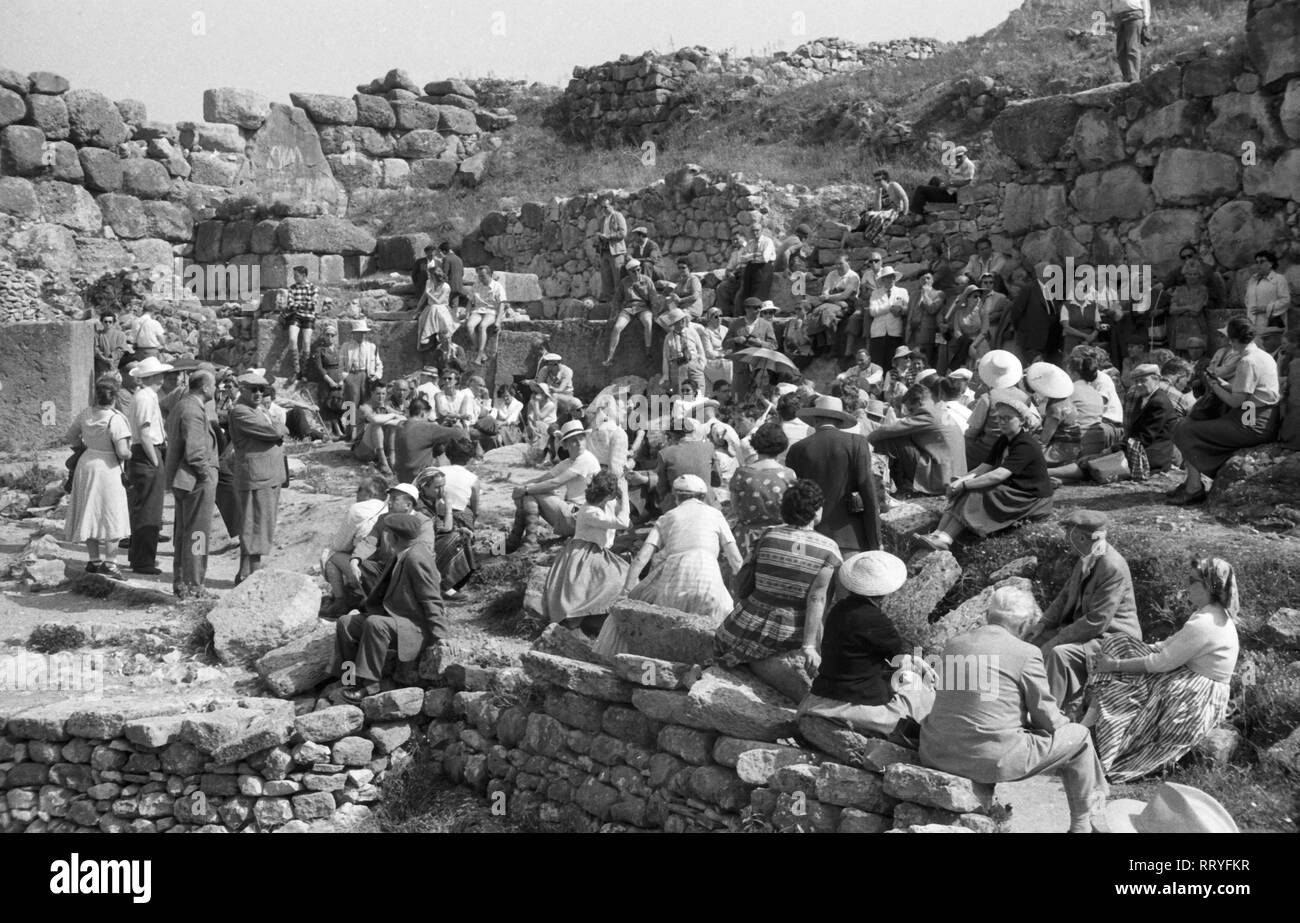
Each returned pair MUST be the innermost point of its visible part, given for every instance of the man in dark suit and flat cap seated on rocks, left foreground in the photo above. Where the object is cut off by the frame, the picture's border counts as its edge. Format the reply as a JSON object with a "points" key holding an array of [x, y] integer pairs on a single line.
{"points": [[401, 616]]}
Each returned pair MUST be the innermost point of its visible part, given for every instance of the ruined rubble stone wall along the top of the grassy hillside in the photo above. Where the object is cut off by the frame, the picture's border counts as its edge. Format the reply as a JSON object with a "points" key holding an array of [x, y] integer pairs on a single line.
{"points": [[635, 99]]}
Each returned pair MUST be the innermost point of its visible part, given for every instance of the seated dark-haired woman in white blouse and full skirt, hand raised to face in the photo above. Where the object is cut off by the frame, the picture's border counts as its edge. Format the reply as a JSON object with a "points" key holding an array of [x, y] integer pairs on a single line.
{"points": [[587, 577]]}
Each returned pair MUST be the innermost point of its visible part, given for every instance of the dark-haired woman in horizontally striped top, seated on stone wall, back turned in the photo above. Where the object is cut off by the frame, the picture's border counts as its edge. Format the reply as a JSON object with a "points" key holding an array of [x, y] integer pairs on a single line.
{"points": [[781, 614]]}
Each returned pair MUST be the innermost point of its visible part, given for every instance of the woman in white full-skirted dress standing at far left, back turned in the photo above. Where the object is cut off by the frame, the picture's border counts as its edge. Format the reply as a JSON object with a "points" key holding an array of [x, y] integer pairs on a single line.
{"points": [[98, 513]]}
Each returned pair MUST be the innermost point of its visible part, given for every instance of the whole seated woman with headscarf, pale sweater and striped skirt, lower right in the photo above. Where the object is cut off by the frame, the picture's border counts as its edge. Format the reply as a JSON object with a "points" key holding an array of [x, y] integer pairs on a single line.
{"points": [[1152, 704]]}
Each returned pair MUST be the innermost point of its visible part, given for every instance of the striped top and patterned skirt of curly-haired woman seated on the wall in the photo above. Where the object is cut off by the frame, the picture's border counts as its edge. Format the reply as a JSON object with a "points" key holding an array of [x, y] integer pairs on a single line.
{"points": [[770, 622]]}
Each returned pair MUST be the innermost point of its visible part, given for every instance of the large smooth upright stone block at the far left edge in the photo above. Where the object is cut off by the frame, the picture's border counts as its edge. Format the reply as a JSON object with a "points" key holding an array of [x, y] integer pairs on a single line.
{"points": [[46, 375]]}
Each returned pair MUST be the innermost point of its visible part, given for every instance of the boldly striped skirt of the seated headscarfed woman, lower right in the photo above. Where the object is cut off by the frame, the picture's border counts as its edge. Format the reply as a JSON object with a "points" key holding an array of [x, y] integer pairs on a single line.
{"points": [[1150, 721]]}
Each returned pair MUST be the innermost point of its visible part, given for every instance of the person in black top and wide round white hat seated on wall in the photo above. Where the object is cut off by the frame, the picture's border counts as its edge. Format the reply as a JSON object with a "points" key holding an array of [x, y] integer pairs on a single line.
{"points": [[855, 684]]}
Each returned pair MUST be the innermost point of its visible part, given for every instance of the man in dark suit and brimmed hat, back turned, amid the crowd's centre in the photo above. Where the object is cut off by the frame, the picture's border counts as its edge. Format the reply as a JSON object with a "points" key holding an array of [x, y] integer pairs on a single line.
{"points": [[842, 465]]}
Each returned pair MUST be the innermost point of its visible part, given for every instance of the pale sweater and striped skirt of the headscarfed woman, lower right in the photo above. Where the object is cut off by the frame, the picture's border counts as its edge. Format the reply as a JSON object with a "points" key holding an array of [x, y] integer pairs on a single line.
{"points": [[1151, 721]]}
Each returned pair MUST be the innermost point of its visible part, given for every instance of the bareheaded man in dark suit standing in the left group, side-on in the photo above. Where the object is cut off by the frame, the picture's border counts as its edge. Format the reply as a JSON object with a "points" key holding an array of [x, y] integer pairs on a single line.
{"points": [[192, 474]]}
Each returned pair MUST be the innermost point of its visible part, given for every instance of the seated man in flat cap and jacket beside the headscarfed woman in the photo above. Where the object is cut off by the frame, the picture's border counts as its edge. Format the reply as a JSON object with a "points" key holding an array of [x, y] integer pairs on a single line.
{"points": [[1095, 604]]}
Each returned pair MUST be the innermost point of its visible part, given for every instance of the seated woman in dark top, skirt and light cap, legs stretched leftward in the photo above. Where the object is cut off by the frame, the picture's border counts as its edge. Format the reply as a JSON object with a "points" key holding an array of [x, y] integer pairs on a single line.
{"points": [[1013, 486]]}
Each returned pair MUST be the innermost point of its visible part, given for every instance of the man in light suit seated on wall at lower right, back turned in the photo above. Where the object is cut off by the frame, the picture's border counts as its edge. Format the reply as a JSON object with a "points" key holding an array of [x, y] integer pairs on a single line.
{"points": [[995, 721]]}
